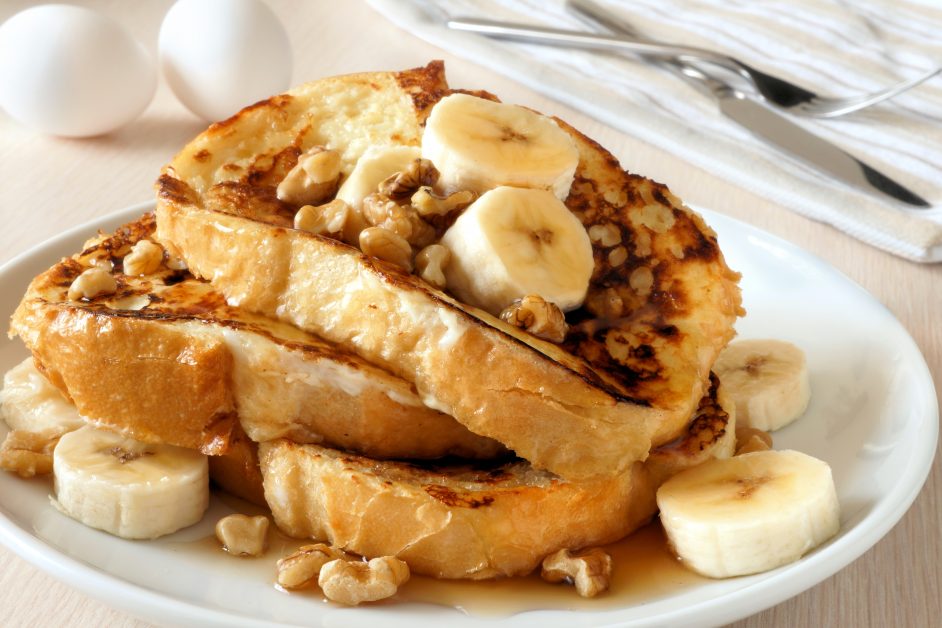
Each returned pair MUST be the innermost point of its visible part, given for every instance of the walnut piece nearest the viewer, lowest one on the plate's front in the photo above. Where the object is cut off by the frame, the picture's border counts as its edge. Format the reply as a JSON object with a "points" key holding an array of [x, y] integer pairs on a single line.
{"points": [[352, 583]]}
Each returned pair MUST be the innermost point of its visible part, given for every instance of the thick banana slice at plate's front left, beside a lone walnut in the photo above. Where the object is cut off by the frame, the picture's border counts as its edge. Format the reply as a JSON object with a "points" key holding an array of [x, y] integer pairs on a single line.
{"points": [[128, 488]]}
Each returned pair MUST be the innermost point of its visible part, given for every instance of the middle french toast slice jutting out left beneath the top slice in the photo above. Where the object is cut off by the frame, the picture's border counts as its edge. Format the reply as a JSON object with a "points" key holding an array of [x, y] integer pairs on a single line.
{"points": [[165, 359]]}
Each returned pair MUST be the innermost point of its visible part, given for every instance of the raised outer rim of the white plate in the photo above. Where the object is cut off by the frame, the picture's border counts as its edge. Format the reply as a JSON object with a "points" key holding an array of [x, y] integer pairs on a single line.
{"points": [[763, 594]]}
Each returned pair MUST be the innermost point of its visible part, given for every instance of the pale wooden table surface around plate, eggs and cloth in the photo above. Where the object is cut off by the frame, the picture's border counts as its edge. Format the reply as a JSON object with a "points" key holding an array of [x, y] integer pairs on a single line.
{"points": [[48, 185]]}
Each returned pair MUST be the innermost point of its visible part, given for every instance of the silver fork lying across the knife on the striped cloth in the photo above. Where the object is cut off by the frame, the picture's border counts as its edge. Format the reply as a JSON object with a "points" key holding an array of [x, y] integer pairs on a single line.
{"points": [[777, 91]]}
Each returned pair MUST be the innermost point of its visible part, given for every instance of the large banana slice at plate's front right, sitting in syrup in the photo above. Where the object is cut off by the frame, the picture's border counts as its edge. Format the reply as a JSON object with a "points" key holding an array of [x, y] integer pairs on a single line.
{"points": [[750, 513]]}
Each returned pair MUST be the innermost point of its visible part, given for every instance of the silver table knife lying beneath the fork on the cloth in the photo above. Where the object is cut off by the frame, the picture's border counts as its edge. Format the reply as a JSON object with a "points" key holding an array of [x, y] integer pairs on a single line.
{"points": [[765, 123]]}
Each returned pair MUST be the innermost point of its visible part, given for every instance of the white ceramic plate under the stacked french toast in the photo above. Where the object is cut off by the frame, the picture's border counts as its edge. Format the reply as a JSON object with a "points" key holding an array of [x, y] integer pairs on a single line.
{"points": [[873, 417]]}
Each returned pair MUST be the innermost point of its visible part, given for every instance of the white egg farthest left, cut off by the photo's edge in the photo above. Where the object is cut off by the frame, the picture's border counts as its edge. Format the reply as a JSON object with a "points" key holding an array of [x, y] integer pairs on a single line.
{"points": [[71, 71]]}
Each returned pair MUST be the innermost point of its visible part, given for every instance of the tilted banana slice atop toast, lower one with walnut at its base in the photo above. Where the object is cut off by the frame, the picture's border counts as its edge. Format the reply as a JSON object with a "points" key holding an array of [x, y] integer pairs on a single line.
{"points": [[514, 242]]}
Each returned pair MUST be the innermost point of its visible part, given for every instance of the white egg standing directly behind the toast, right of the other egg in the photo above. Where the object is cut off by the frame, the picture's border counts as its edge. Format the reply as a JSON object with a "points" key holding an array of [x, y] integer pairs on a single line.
{"points": [[221, 55]]}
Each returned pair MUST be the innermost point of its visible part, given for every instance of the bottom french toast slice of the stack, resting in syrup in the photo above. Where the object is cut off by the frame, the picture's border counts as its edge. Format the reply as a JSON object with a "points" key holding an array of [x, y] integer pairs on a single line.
{"points": [[465, 521]]}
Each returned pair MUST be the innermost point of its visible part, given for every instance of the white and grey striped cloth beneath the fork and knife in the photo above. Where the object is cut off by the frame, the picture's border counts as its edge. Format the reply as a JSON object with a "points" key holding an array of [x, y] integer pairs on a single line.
{"points": [[831, 46]]}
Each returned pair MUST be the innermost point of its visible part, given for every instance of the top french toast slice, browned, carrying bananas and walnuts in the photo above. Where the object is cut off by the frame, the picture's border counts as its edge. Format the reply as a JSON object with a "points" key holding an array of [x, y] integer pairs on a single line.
{"points": [[628, 375]]}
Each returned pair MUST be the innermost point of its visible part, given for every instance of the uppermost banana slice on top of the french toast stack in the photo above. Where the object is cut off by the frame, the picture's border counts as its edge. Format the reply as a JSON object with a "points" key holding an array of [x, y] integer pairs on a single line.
{"points": [[479, 144]]}
